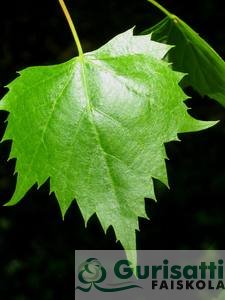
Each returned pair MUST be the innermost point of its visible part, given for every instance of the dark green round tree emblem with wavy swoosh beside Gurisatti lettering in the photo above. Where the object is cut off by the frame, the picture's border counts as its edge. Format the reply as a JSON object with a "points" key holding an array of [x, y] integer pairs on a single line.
{"points": [[91, 274]]}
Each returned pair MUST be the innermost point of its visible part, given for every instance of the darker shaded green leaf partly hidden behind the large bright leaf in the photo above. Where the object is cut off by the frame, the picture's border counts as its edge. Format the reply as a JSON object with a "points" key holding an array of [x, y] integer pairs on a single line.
{"points": [[192, 55]]}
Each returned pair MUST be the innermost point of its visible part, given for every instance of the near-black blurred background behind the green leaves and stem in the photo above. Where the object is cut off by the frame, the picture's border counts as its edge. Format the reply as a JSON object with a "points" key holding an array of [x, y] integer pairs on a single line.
{"points": [[36, 246]]}
